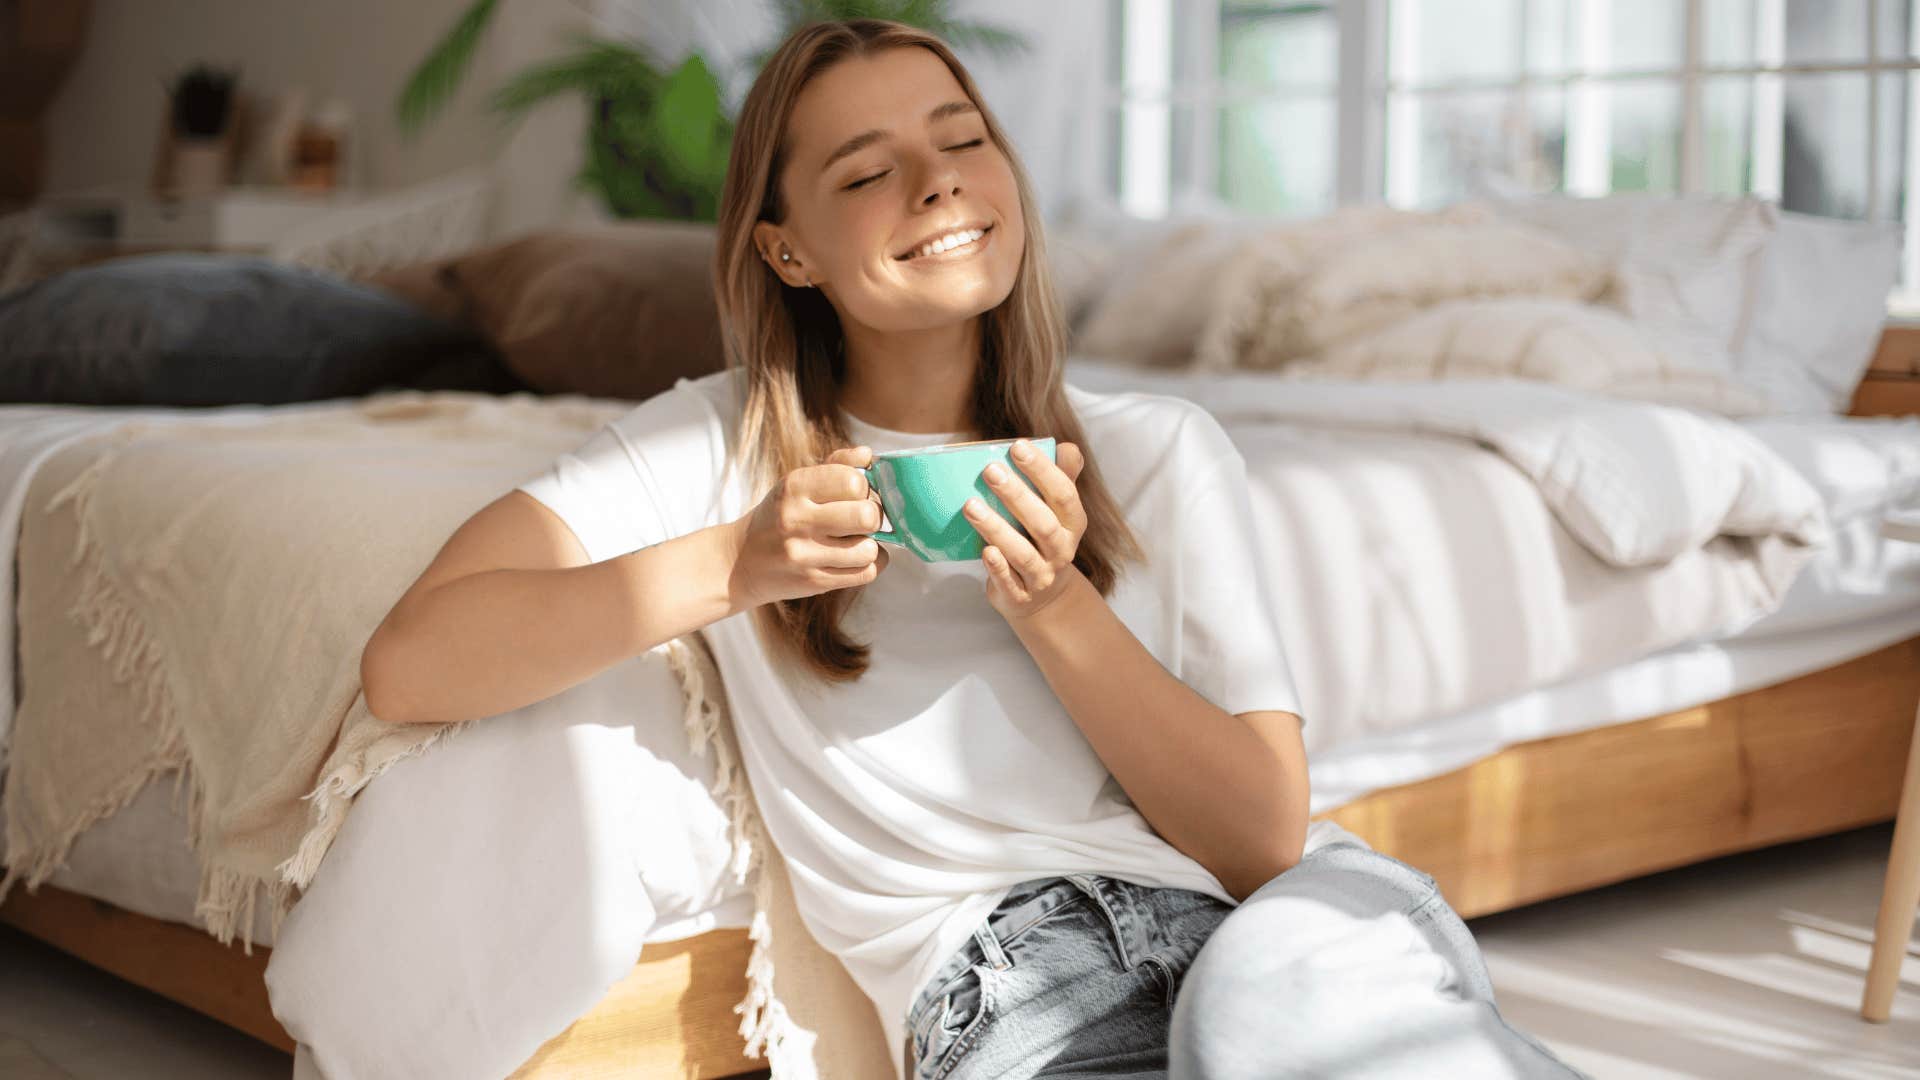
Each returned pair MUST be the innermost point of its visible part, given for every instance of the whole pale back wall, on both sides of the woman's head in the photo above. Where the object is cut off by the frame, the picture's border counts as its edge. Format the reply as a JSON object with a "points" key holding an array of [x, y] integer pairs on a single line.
{"points": [[103, 128]]}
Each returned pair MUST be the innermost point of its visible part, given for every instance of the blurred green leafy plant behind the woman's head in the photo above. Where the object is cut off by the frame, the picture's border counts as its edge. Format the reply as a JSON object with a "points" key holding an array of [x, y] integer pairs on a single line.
{"points": [[658, 132]]}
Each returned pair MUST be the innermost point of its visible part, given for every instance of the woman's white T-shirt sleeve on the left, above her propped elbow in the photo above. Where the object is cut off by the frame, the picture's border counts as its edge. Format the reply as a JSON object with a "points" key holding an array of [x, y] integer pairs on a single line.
{"points": [[646, 478]]}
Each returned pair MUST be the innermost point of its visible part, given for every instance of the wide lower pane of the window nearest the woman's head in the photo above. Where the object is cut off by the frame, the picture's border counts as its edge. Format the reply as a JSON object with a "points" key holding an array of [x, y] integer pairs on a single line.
{"points": [[1278, 157]]}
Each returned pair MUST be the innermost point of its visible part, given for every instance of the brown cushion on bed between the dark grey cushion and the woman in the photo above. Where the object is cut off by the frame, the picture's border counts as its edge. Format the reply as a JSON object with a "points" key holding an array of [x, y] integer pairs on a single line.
{"points": [[613, 312]]}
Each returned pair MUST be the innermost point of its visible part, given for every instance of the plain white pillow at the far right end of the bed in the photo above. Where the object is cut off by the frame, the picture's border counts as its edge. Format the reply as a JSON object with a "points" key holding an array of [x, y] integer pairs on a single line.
{"points": [[1819, 308]]}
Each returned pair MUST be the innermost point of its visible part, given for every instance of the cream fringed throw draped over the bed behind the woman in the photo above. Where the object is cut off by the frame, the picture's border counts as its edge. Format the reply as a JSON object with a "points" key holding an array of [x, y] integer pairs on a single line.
{"points": [[228, 576]]}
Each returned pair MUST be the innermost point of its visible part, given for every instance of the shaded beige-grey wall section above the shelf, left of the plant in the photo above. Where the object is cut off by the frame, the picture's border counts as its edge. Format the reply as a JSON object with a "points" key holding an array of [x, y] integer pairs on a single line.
{"points": [[107, 120]]}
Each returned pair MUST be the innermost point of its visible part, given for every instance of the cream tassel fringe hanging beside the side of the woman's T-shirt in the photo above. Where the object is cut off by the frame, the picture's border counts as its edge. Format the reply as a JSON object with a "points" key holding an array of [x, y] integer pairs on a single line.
{"points": [[765, 1023]]}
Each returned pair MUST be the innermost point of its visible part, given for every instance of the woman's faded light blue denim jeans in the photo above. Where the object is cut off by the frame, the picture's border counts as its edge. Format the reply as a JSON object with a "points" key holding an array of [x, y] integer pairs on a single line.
{"points": [[1349, 964]]}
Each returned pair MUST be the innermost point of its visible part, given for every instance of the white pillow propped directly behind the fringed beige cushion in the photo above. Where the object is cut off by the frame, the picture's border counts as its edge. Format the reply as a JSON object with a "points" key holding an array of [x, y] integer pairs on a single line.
{"points": [[1685, 266]]}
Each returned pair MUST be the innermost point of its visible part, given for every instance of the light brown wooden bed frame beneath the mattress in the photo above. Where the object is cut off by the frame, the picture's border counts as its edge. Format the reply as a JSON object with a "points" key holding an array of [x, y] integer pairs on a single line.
{"points": [[1550, 818]]}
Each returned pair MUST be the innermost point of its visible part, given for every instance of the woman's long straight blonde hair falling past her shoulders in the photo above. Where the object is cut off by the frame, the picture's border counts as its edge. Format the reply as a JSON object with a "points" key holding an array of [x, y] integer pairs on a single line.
{"points": [[788, 341]]}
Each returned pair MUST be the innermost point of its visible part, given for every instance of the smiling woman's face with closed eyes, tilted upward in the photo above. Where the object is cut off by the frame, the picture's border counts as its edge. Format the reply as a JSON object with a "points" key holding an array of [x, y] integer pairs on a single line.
{"points": [[888, 155]]}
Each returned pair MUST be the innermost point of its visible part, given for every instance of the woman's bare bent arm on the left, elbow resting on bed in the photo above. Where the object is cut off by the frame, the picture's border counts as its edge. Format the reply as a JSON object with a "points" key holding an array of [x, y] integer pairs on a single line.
{"points": [[512, 612]]}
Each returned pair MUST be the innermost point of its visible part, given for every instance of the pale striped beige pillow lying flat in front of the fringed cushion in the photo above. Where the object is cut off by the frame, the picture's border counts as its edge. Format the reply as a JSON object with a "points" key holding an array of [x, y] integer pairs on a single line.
{"points": [[1529, 337]]}
